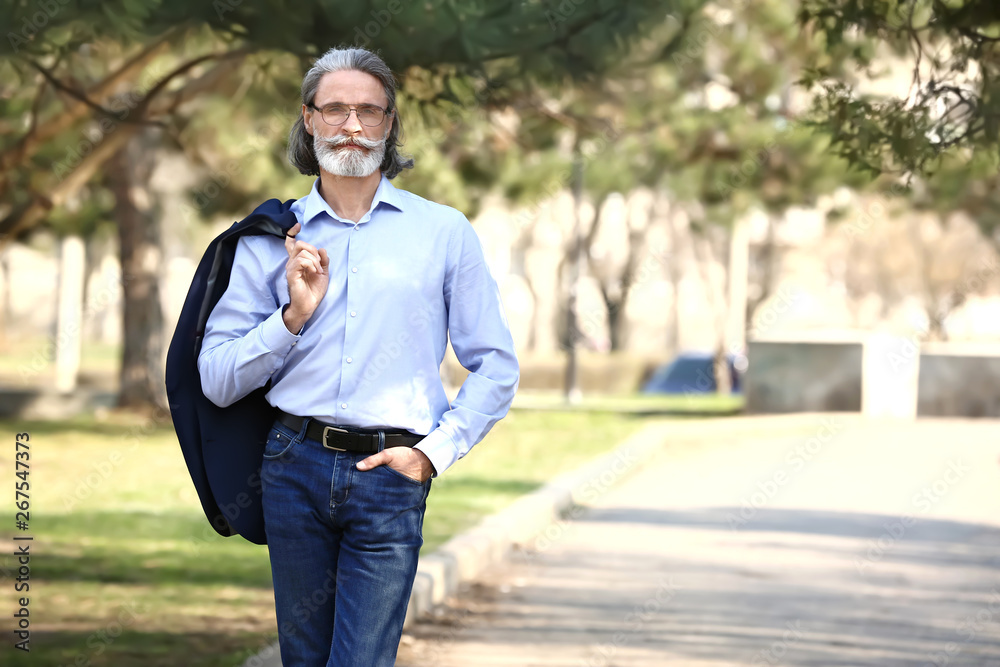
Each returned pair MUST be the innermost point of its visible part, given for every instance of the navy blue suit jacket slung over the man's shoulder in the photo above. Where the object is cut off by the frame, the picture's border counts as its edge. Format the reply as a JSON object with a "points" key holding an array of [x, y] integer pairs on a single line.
{"points": [[223, 447]]}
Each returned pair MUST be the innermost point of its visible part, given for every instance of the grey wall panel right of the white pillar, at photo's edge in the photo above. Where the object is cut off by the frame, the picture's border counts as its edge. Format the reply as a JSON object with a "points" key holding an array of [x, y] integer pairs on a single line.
{"points": [[953, 384]]}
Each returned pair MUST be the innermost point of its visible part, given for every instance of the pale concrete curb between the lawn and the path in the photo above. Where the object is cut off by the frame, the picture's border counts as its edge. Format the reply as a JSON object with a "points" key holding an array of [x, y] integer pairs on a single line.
{"points": [[463, 557]]}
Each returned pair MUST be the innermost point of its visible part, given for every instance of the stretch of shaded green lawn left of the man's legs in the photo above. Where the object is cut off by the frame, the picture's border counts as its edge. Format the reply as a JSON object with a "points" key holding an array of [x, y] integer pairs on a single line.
{"points": [[123, 570]]}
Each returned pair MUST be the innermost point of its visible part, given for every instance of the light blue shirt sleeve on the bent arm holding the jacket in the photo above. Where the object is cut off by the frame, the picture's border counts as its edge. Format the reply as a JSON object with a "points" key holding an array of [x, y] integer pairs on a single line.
{"points": [[246, 340]]}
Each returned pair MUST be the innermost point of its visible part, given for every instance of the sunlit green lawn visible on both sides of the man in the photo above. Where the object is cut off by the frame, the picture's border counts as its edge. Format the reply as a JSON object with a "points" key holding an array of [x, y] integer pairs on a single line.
{"points": [[126, 570]]}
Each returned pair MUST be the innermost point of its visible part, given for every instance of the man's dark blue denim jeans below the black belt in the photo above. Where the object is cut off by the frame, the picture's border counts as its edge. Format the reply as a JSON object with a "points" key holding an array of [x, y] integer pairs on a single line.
{"points": [[343, 546]]}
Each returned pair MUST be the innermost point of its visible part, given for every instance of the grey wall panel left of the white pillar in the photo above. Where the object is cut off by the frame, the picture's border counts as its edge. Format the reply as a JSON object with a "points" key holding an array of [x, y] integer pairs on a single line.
{"points": [[803, 377]]}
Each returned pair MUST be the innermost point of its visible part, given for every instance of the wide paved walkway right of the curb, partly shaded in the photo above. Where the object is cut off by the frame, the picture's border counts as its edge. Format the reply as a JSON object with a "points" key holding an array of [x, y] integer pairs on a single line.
{"points": [[846, 542]]}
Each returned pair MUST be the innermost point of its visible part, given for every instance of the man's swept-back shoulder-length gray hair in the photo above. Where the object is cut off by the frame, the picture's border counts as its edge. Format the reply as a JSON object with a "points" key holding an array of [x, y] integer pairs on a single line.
{"points": [[300, 143]]}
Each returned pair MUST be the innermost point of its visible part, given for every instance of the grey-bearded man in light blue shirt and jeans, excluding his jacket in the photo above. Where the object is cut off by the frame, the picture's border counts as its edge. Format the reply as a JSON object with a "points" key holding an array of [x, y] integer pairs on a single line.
{"points": [[349, 321]]}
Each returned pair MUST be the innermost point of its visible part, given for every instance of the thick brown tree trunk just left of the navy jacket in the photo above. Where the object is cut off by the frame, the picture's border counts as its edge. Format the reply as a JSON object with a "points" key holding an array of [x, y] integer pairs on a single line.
{"points": [[139, 246]]}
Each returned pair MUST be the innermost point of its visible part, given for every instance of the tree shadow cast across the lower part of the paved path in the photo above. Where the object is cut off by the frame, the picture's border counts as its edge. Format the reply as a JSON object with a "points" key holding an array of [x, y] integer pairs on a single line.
{"points": [[647, 587]]}
